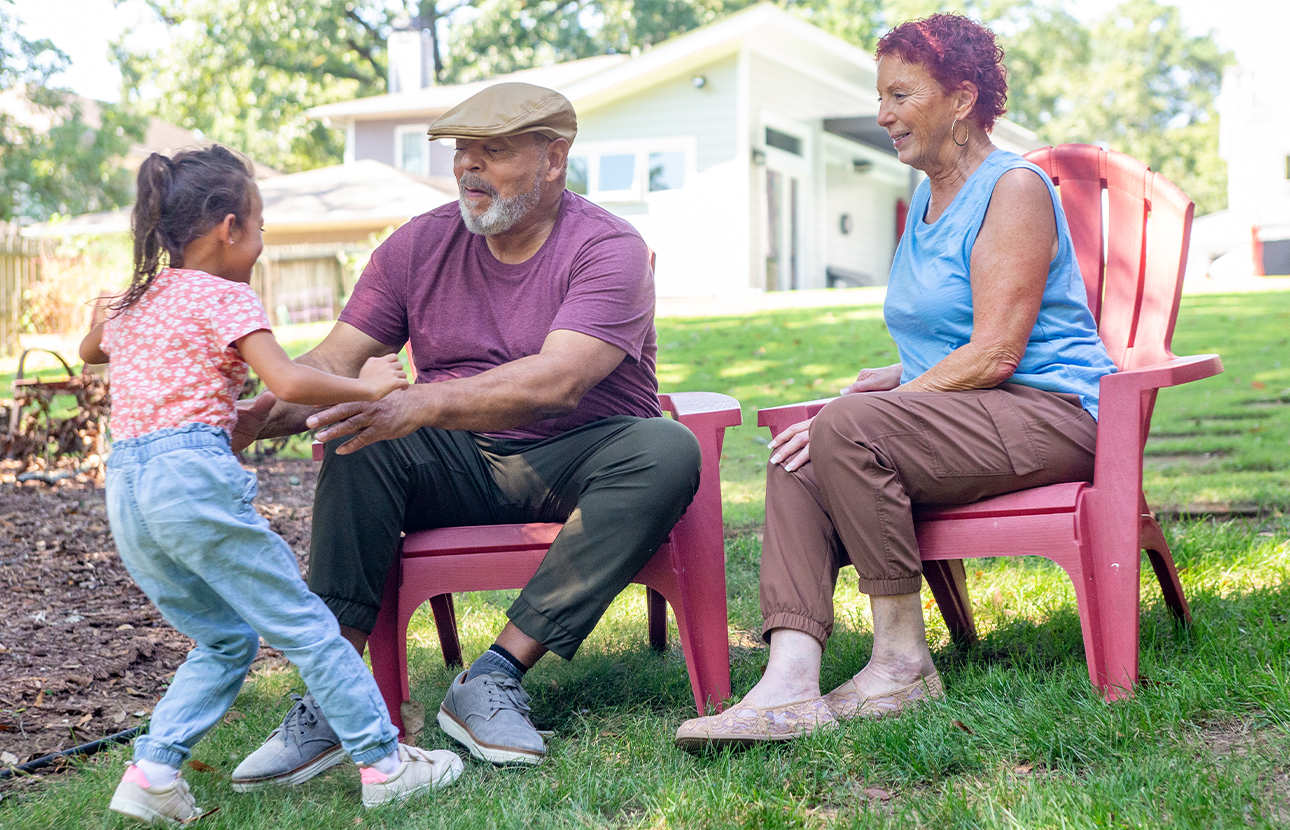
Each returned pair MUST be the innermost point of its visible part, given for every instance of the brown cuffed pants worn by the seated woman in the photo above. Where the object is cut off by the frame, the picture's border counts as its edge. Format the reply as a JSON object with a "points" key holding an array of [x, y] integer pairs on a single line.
{"points": [[874, 456]]}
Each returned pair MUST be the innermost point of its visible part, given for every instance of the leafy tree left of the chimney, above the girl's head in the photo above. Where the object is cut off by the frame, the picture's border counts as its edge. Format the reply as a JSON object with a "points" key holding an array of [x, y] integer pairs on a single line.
{"points": [[244, 73]]}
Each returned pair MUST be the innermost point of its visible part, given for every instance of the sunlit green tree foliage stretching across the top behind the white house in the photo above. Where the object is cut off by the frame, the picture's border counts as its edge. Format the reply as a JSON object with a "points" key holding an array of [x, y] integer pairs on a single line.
{"points": [[244, 72]]}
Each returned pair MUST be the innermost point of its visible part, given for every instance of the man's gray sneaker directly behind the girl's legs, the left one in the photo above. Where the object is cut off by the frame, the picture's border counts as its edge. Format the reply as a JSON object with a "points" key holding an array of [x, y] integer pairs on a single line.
{"points": [[300, 749]]}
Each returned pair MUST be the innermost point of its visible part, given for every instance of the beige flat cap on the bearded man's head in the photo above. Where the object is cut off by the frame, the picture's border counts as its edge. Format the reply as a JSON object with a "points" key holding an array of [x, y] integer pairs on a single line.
{"points": [[509, 110]]}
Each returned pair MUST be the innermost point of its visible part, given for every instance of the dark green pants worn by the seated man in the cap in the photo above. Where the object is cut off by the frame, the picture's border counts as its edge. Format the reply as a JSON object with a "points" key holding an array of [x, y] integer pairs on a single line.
{"points": [[619, 485]]}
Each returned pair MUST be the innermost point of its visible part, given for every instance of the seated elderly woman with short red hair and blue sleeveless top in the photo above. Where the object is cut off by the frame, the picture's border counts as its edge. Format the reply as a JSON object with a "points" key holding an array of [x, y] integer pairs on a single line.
{"points": [[997, 390]]}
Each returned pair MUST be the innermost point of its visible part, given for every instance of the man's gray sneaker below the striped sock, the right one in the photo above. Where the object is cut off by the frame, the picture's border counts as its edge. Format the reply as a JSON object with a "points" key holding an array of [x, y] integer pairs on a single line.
{"points": [[490, 716]]}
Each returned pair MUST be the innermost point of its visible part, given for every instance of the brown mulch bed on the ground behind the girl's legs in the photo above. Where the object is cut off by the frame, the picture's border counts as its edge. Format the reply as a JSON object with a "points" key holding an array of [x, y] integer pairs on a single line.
{"points": [[83, 654]]}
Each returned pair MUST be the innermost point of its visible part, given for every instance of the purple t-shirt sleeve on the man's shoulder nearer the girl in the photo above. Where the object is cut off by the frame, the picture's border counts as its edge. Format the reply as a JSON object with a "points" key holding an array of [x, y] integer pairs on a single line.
{"points": [[379, 307]]}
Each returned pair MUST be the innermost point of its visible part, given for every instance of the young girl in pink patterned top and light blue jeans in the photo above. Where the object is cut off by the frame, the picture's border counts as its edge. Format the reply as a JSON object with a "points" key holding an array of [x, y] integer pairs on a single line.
{"points": [[180, 504]]}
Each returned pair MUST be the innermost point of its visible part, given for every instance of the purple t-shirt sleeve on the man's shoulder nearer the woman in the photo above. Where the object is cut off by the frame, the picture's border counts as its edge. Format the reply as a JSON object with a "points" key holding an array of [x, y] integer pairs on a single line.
{"points": [[611, 295]]}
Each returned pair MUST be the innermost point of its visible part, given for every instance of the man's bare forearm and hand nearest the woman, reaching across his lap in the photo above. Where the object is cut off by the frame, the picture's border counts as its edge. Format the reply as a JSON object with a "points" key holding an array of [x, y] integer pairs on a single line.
{"points": [[531, 389]]}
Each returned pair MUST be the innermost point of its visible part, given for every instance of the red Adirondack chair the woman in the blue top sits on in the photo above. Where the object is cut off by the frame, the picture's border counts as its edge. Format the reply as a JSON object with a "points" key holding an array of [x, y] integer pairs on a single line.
{"points": [[1135, 278]]}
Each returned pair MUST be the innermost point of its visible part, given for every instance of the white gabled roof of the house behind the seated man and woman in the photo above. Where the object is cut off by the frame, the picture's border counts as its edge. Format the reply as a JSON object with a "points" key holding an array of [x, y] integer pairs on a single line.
{"points": [[598, 82]]}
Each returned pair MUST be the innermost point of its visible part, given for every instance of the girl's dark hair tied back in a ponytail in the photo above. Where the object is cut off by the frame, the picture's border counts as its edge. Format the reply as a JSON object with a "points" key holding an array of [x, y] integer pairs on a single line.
{"points": [[180, 201]]}
